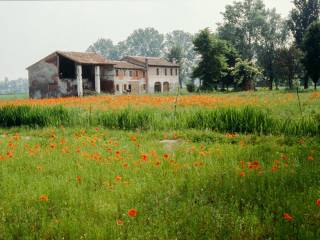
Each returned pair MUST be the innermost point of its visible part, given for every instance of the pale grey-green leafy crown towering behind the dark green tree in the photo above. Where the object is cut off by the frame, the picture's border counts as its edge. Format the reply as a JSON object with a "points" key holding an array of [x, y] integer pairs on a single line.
{"points": [[242, 26]]}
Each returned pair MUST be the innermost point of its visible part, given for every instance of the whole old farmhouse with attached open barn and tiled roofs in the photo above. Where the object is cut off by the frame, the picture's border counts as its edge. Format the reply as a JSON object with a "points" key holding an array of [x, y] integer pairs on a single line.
{"points": [[77, 74]]}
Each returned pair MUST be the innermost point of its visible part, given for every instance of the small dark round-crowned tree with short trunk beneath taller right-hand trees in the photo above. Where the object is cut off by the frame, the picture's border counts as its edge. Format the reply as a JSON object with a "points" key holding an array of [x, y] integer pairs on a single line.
{"points": [[288, 64]]}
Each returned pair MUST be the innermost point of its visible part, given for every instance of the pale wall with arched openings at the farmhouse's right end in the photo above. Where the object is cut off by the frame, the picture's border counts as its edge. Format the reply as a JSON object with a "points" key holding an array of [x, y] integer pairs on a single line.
{"points": [[173, 79]]}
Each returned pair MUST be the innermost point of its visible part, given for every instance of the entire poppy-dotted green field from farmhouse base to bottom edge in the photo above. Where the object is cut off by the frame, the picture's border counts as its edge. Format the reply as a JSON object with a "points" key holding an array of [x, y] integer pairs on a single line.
{"points": [[225, 166]]}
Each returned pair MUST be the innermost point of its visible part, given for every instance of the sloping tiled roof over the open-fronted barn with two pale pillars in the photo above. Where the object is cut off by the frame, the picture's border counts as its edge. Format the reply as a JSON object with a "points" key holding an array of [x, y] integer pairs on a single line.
{"points": [[85, 58]]}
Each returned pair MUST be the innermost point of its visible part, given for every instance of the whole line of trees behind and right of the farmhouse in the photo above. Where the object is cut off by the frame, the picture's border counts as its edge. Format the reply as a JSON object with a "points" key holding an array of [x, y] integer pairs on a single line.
{"points": [[252, 46]]}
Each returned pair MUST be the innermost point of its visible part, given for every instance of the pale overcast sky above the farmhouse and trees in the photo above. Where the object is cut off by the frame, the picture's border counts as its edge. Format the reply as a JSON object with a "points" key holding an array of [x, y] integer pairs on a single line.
{"points": [[31, 30]]}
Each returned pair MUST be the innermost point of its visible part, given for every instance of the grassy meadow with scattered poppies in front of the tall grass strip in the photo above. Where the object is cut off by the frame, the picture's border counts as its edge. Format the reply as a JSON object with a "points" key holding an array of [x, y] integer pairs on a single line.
{"points": [[76, 184]]}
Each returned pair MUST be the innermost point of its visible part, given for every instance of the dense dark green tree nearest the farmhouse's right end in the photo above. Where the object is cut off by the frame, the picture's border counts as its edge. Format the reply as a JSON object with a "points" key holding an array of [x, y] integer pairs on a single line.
{"points": [[213, 62]]}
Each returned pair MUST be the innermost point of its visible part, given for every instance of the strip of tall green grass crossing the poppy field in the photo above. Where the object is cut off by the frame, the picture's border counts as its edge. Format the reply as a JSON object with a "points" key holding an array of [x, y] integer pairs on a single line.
{"points": [[236, 120]]}
